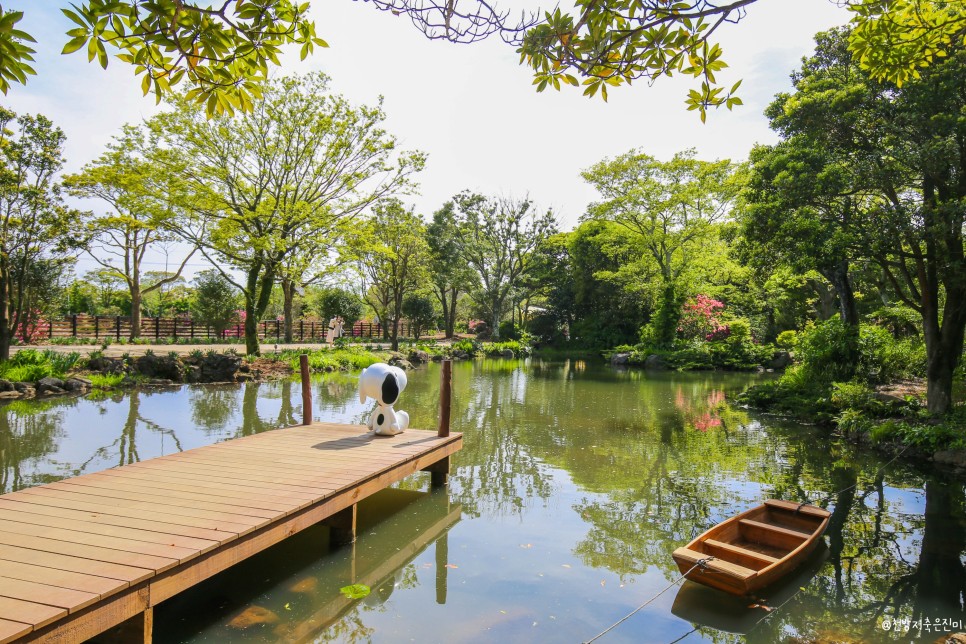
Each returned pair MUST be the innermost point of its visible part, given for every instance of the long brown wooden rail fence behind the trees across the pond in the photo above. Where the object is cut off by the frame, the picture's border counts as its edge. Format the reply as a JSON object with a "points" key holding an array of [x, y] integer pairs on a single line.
{"points": [[115, 327]]}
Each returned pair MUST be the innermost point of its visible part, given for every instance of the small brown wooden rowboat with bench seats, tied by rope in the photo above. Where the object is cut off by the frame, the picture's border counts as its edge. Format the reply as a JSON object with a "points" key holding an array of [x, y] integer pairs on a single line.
{"points": [[755, 548]]}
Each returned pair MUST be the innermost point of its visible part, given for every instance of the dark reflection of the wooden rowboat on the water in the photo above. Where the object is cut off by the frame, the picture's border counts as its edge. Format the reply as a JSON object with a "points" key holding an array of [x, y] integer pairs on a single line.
{"points": [[705, 606]]}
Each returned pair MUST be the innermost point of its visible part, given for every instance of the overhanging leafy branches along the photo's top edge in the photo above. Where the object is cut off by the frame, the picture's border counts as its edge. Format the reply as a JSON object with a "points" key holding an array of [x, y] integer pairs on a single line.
{"points": [[224, 50]]}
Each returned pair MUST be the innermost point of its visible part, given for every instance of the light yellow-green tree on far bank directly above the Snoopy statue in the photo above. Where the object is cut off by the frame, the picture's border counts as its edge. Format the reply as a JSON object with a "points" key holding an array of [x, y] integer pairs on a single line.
{"points": [[391, 252]]}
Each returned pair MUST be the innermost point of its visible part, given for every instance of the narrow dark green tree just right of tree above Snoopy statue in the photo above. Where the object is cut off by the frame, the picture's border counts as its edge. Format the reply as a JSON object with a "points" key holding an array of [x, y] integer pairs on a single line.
{"points": [[450, 275]]}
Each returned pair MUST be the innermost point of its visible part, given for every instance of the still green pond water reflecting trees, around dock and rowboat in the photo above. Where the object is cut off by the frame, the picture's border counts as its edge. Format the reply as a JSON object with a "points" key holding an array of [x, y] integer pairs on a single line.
{"points": [[575, 483]]}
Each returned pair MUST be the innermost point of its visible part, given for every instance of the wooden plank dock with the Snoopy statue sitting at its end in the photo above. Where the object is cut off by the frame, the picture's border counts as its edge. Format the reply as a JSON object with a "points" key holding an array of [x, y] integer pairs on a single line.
{"points": [[83, 555]]}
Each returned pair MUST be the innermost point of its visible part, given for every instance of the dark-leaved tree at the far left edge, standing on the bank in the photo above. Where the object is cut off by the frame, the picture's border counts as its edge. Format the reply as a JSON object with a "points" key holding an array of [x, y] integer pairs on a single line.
{"points": [[35, 225]]}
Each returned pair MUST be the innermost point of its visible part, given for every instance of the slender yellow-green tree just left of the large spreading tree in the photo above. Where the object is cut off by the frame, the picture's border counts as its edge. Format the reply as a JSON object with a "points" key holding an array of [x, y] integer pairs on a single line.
{"points": [[128, 180]]}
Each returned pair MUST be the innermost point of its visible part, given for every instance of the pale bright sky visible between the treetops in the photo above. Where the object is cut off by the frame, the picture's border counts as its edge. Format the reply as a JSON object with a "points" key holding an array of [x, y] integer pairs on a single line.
{"points": [[472, 108]]}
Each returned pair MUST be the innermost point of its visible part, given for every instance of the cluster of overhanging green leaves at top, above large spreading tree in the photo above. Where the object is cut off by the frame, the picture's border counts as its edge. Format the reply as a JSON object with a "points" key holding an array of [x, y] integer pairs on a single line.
{"points": [[224, 55]]}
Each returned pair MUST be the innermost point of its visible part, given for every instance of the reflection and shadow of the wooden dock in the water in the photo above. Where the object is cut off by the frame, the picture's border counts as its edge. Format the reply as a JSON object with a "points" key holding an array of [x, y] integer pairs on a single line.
{"points": [[291, 593]]}
